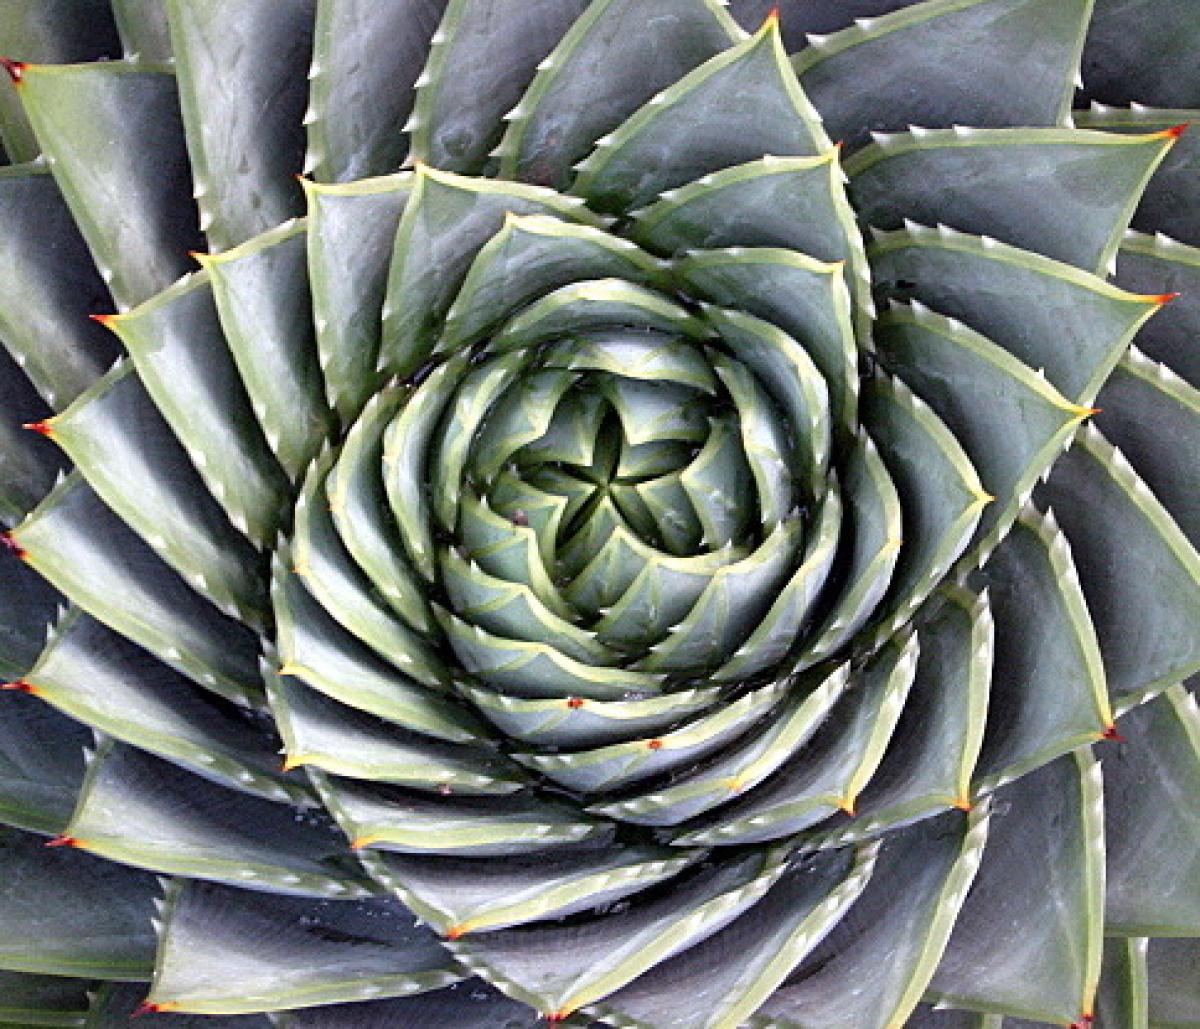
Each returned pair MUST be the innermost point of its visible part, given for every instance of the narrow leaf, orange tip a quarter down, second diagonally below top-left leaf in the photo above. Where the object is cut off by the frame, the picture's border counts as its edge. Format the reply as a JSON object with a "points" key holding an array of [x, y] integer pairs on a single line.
{"points": [[261, 290]]}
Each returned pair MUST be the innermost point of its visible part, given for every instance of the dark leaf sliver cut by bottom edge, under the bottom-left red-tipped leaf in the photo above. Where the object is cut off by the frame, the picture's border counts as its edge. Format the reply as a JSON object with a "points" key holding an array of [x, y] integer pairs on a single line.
{"points": [[471, 1002]]}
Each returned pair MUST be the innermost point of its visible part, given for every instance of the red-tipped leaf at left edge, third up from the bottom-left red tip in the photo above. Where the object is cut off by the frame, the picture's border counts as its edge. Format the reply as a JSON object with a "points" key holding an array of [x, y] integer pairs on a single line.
{"points": [[103, 681]]}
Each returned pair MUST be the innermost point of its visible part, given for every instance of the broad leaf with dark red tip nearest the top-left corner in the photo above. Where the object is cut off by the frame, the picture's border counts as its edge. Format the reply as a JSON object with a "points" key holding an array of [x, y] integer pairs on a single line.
{"points": [[113, 134]]}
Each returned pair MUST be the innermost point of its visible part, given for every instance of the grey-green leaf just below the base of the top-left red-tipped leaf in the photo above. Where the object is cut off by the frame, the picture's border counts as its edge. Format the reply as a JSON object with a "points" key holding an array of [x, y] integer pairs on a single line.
{"points": [[182, 357]]}
